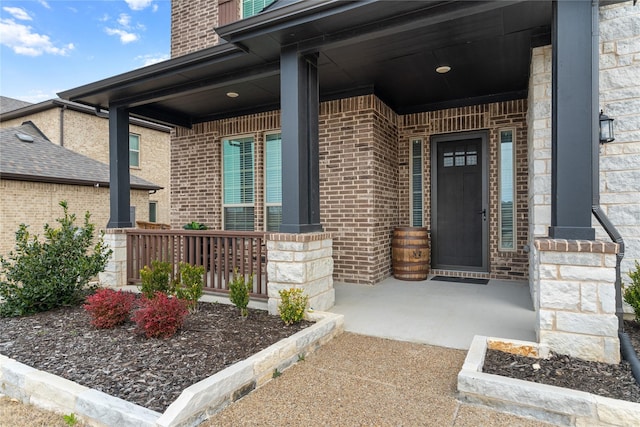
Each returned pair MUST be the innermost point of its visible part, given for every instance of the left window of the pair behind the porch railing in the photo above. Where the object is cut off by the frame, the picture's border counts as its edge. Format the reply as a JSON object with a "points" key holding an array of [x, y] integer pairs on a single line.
{"points": [[238, 183]]}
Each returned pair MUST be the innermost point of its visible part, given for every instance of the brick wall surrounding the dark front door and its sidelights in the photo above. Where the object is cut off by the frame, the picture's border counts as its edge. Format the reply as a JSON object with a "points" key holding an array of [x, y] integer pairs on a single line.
{"points": [[492, 117]]}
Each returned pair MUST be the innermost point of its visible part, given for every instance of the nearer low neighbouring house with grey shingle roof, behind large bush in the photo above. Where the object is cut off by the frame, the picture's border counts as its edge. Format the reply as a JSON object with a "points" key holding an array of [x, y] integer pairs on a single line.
{"points": [[36, 174]]}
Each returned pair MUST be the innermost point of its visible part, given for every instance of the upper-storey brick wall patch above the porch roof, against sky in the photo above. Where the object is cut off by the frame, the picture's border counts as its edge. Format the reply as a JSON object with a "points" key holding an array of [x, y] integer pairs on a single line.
{"points": [[192, 24]]}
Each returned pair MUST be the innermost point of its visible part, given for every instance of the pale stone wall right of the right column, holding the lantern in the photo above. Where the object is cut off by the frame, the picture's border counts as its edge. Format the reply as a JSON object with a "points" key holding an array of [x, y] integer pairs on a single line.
{"points": [[620, 99]]}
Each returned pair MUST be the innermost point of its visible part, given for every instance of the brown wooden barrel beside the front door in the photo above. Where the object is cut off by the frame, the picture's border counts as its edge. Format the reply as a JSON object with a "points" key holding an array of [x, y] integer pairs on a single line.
{"points": [[410, 253]]}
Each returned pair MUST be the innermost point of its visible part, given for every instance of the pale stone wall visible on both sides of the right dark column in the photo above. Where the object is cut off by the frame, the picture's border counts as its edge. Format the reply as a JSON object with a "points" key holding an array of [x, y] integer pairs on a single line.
{"points": [[619, 160]]}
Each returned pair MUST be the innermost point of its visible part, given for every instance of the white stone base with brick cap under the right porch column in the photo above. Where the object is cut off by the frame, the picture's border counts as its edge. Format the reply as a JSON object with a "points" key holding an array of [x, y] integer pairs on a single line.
{"points": [[574, 297]]}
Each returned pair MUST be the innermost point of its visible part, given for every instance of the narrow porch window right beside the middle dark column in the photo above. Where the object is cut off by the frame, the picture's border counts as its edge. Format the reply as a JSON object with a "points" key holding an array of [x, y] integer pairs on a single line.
{"points": [[273, 181]]}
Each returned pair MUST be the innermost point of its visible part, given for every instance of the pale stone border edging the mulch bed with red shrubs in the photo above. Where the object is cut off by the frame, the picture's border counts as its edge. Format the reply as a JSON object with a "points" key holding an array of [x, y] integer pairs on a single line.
{"points": [[196, 403]]}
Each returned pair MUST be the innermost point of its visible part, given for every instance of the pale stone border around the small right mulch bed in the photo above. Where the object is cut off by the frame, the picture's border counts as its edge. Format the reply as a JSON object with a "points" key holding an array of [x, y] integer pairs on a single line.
{"points": [[551, 404]]}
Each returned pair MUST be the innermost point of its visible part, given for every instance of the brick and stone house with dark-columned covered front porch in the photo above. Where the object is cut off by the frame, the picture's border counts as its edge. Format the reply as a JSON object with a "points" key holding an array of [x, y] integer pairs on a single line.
{"points": [[330, 123]]}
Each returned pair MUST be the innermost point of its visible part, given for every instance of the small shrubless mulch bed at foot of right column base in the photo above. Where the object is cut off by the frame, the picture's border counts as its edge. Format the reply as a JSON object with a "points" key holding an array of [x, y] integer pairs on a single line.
{"points": [[614, 381]]}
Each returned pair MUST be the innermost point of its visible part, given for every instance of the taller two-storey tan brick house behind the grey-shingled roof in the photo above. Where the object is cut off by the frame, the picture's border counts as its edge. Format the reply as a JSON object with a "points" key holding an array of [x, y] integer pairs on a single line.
{"points": [[79, 128]]}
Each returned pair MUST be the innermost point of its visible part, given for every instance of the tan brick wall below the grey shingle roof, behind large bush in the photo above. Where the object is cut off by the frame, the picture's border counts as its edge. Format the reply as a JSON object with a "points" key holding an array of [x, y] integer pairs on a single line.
{"points": [[36, 204]]}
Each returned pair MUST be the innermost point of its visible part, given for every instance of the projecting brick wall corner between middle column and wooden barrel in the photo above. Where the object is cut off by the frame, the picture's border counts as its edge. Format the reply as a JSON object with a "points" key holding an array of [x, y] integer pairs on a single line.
{"points": [[359, 186]]}
